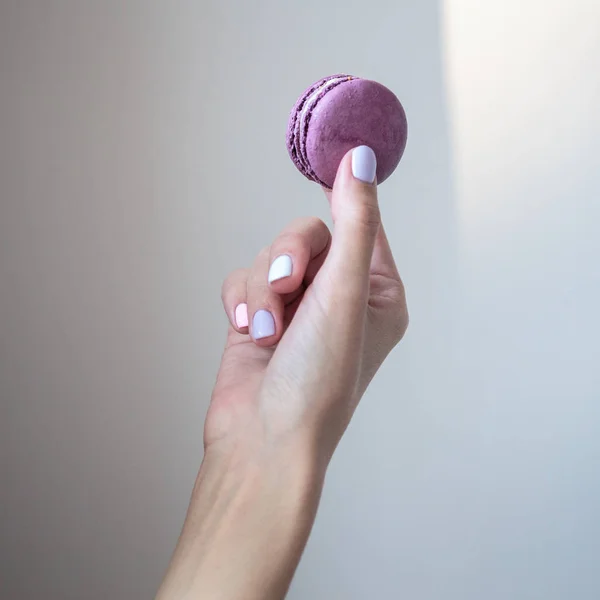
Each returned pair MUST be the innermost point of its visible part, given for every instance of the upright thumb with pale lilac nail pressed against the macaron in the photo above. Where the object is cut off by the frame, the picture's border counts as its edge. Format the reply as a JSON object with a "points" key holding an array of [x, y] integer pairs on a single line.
{"points": [[357, 220]]}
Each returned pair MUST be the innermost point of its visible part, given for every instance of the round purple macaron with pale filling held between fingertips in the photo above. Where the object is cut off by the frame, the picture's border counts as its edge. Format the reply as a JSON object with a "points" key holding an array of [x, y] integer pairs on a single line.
{"points": [[339, 113]]}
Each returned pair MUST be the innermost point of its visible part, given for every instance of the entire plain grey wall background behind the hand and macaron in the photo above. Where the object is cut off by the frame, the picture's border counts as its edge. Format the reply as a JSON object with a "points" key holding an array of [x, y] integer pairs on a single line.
{"points": [[142, 157]]}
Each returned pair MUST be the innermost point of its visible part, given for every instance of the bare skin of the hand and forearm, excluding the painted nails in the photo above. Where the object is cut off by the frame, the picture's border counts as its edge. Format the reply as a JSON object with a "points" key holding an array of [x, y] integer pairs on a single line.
{"points": [[281, 404]]}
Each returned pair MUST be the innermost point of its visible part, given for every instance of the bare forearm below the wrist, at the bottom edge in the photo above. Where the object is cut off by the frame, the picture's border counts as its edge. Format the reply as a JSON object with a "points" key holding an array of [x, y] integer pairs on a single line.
{"points": [[247, 524]]}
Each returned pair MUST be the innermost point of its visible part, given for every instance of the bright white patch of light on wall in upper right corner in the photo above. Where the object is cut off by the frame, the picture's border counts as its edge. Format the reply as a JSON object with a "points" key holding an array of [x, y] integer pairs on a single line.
{"points": [[523, 107]]}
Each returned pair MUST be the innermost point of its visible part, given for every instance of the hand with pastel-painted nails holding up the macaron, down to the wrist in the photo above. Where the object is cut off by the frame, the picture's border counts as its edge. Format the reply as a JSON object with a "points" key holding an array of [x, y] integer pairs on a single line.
{"points": [[317, 333]]}
